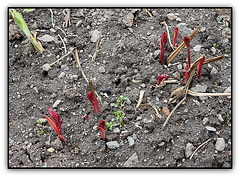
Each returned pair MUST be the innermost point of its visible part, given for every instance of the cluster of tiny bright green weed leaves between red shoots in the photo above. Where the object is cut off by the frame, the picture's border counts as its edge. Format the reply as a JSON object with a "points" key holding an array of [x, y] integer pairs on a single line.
{"points": [[119, 114]]}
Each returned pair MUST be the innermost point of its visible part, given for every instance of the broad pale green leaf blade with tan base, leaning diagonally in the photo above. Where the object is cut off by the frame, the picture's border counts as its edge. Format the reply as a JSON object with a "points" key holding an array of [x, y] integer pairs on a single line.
{"points": [[23, 26]]}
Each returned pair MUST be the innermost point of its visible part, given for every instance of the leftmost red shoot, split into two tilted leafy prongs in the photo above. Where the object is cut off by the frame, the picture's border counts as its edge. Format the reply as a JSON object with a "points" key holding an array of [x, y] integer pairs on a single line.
{"points": [[55, 122]]}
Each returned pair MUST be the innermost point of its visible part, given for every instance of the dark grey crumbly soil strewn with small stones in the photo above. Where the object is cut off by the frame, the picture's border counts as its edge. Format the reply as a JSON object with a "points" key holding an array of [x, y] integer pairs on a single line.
{"points": [[126, 63]]}
